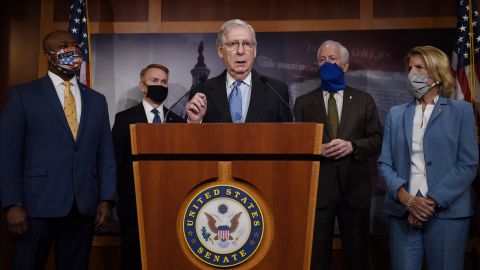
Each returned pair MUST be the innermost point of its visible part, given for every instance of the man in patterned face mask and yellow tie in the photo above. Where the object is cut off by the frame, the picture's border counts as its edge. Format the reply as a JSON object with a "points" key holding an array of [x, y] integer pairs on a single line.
{"points": [[57, 162]]}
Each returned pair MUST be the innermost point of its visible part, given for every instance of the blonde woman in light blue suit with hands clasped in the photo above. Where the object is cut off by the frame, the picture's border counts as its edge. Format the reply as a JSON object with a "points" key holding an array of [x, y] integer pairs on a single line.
{"points": [[429, 159]]}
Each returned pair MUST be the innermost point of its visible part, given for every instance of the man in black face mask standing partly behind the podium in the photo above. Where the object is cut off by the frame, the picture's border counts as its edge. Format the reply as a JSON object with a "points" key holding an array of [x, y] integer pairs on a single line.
{"points": [[153, 84]]}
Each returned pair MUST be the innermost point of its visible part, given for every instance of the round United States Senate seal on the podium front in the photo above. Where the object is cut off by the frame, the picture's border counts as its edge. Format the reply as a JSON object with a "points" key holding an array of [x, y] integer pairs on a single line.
{"points": [[223, 225]]}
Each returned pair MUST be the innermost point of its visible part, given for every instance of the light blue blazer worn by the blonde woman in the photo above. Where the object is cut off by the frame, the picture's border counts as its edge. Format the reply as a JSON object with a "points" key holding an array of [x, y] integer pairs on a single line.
{"points": [[451, 156]]}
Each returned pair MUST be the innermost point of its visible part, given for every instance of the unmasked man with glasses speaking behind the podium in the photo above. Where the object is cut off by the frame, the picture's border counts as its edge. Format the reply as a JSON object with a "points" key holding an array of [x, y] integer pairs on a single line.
{"points": [[239, 94]]}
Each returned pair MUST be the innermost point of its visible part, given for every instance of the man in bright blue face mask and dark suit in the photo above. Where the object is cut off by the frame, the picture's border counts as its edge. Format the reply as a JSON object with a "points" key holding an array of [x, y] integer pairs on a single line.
{"points": [[352, 134]]}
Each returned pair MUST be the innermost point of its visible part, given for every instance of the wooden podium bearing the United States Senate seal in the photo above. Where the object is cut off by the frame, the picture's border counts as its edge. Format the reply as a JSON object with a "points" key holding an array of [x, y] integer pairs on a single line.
{"points": [[236, 196]]}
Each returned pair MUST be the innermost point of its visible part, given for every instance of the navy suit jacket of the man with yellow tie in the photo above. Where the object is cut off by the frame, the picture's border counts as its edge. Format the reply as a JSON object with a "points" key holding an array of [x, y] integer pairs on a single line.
{"points": [[41, 164]]}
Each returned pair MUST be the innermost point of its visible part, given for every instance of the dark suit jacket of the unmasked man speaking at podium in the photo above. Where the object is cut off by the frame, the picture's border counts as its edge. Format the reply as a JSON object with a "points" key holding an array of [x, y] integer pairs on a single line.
{"points": [[264, 106]]}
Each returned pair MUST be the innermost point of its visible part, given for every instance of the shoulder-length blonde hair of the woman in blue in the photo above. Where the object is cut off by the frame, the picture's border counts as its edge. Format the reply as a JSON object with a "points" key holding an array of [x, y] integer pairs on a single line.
{"points": [[437, 65]]}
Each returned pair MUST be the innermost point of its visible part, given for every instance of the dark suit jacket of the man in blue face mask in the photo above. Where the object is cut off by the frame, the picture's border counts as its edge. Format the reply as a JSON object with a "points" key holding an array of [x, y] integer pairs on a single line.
{"points": [[359, 124]]}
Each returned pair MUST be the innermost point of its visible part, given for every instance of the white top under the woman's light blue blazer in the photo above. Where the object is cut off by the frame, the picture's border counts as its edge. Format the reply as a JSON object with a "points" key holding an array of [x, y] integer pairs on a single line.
{"points": [[418, 176]]}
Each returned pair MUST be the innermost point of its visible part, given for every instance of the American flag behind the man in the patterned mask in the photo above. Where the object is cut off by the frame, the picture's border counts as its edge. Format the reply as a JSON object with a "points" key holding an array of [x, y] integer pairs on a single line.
{"points": [[78, 26]]}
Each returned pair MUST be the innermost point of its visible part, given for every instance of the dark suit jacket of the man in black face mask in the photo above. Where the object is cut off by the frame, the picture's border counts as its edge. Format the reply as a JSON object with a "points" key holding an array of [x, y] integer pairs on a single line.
{"points": [[123, 154]]}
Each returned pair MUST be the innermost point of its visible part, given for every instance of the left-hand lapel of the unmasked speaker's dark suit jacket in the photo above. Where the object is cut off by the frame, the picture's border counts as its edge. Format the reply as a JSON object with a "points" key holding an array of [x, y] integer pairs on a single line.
{"points": [[218, 96]]}
